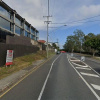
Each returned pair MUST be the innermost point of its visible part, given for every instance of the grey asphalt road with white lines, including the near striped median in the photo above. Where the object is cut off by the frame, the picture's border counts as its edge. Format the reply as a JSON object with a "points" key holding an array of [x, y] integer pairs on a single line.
{"points": [[57, 79]]}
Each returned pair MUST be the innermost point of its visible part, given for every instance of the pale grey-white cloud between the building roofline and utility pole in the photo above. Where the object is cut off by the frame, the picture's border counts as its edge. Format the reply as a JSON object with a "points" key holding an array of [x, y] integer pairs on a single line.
{"points": [[32, 10]]}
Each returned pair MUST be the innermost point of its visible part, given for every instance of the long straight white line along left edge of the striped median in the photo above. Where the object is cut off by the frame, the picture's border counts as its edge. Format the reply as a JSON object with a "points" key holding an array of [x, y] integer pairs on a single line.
{"points": [[86, 82]]}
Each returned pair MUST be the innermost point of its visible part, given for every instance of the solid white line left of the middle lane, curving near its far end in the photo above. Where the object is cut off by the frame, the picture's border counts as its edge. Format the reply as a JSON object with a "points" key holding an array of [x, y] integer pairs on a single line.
{"points": [[44, 85]]}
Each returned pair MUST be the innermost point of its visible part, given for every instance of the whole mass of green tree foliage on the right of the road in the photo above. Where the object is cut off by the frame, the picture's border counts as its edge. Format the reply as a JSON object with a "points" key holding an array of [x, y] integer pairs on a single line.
{"points": [[79, 42]]}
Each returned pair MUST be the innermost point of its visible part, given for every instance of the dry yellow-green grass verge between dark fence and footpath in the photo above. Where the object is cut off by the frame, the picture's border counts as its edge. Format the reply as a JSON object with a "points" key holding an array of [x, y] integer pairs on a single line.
{"points": [[22, 62]]}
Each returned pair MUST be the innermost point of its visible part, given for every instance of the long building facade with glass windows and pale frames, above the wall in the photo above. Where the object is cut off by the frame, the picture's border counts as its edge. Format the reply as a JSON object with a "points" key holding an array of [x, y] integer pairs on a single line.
{"points": [[11, 23]]}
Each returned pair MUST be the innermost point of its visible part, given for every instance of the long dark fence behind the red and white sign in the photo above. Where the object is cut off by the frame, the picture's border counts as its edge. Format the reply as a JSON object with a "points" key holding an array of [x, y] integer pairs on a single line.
{"points": [[19, 50]]}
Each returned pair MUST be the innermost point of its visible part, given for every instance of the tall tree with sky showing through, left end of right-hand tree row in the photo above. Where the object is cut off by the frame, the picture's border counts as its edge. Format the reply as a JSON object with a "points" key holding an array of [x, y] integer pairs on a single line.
{"points": [[74, 42]]}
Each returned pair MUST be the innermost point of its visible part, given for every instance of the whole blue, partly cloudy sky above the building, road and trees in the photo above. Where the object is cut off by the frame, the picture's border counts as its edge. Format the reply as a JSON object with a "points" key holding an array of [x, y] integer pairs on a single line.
{"points": [[63, 12]]}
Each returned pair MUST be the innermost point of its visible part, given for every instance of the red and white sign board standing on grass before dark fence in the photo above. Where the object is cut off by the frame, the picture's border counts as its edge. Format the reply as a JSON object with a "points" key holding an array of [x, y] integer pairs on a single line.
{"points": [[9, 57]]}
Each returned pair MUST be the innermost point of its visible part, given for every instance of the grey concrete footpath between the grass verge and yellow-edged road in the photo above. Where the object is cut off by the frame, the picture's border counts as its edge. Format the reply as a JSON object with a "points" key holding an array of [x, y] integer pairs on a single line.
{"points": [[13, 78]]}
